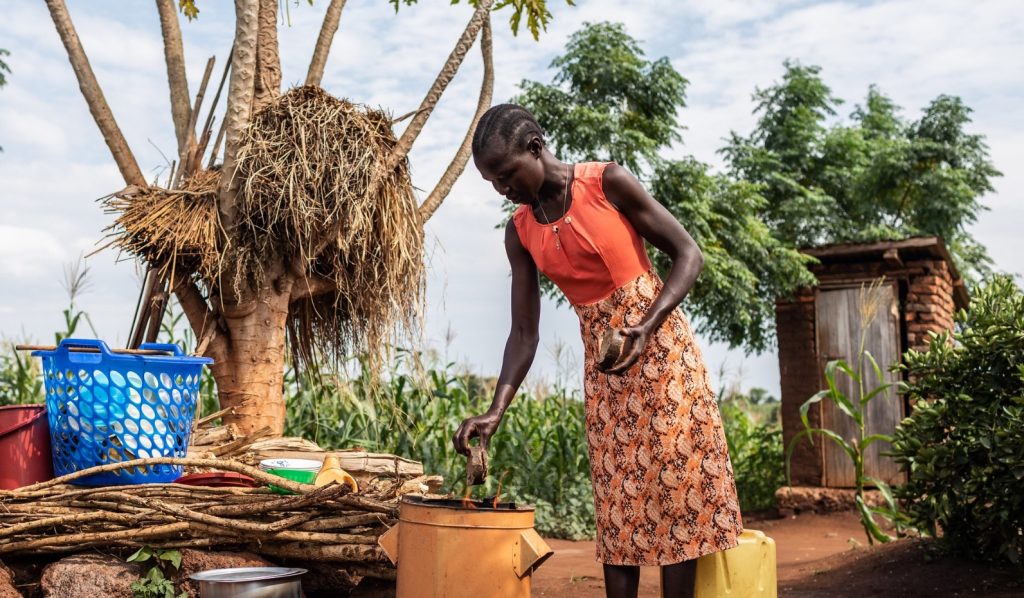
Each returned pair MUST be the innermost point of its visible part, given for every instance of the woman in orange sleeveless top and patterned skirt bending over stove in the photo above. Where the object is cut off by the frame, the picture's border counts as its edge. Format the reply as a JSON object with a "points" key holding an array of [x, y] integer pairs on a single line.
{"points": [[664, 490]]}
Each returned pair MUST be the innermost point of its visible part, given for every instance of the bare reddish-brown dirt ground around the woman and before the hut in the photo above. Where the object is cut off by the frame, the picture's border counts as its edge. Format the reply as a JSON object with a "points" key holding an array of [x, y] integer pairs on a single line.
{"points": [[818, 557]]}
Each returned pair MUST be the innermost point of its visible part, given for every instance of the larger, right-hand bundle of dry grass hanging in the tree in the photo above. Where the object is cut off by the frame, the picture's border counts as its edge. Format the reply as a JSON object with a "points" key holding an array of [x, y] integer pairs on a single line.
{"points": [[307, 164]]}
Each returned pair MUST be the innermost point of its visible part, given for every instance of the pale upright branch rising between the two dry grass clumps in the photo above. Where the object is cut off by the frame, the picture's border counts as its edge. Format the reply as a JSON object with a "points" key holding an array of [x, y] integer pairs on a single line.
{"points": [[240, 98]]}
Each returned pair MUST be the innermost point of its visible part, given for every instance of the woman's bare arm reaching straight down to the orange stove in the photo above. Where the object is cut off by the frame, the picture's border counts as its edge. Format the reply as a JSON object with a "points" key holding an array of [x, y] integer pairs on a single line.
{"points": [[520, 349]]}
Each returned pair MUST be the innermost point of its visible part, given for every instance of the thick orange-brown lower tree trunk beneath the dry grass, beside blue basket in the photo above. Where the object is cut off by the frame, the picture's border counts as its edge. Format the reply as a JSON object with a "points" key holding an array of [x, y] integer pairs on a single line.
{"points": [[250, 375]]}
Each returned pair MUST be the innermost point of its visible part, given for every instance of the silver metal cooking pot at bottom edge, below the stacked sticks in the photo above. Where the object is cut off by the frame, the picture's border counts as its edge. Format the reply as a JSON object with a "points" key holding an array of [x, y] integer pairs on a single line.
{"points": [[250, 583]]}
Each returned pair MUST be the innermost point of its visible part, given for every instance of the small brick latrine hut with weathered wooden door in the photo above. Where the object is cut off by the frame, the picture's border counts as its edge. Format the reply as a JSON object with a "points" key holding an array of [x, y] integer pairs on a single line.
{"points": [[919, 293]]}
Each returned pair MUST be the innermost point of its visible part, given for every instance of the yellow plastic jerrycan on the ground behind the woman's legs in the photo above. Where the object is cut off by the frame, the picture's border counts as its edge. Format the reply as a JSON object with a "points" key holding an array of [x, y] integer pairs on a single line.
{"points": [[745, 572]]}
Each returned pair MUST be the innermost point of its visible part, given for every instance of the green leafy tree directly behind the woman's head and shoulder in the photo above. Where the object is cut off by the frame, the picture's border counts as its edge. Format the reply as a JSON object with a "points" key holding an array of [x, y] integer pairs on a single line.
{"points": [[609, 103]]}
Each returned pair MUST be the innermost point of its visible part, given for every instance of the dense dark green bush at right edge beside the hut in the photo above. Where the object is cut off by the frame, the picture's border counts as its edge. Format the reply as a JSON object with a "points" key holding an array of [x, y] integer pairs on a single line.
{"points": [[964, 444]]}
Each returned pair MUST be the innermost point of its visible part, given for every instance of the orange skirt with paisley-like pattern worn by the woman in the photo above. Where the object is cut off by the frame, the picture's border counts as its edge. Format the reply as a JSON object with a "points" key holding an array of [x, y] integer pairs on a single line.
{"points": [[664, 487]]}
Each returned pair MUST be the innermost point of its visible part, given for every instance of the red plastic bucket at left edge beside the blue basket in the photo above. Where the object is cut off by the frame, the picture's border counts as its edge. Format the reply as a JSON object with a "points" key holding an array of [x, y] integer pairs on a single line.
{"points": [[25, 446]]}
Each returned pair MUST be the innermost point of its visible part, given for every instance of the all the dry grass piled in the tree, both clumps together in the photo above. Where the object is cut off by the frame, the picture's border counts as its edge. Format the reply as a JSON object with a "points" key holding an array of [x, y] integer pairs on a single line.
{"points": [[306, 165]]}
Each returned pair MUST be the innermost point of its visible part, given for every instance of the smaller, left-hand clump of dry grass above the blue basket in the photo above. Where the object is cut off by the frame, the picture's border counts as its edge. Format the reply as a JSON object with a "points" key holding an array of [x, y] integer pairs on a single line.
{"points": [[173, 231]]}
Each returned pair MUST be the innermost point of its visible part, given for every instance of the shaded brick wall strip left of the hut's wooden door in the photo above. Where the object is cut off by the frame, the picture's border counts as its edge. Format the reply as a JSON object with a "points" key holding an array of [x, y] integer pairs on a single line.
{"points": [[799, 378]]}
